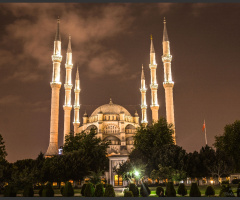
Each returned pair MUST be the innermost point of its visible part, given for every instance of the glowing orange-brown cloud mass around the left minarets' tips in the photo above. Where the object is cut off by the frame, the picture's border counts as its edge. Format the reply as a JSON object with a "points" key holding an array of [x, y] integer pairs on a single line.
{"points": [[31, 34]]}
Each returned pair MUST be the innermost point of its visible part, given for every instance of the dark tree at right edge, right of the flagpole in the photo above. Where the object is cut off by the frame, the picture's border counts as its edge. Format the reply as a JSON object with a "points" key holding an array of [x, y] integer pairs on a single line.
{"points": [[229, 143]]}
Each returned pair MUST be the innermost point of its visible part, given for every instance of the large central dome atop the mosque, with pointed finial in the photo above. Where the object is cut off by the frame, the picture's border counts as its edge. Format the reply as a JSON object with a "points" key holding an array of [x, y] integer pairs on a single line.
{"points": [[111, 108]]}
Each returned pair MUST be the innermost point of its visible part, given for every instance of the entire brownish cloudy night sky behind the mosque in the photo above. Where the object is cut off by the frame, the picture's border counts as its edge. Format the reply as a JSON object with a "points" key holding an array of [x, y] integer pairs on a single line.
{"points": [[110, 42]]}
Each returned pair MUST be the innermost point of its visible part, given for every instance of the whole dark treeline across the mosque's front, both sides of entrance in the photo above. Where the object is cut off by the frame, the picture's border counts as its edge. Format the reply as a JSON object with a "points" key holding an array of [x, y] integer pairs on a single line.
{"points": [[154, 155]]}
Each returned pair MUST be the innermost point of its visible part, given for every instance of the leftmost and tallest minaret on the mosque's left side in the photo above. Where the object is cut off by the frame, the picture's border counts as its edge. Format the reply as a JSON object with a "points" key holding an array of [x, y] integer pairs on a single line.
{"points": [[55, 85]]}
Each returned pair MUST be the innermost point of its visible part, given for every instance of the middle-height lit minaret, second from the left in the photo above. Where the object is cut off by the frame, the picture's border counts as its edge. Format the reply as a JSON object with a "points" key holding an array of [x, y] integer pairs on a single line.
{"points": [[67, 107]]}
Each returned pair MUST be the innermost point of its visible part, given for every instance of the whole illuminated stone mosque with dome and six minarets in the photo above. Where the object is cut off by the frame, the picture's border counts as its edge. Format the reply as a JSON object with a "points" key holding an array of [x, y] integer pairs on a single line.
{"points": [[112, 122]]}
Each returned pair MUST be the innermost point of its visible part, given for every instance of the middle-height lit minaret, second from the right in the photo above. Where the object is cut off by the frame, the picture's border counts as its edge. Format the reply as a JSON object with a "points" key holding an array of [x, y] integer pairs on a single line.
{"points": [[154, 86]]}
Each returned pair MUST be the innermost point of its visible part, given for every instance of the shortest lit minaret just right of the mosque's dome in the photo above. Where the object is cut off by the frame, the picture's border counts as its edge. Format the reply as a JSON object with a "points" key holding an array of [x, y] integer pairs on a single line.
{"points": [[143, 90]]}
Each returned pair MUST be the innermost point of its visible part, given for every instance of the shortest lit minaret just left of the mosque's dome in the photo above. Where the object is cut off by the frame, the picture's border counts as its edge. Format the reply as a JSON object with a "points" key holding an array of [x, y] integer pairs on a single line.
{"points": [[77, 90]]}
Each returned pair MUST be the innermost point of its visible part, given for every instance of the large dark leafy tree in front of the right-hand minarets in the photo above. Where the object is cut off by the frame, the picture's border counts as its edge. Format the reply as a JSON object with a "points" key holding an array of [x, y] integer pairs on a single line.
{"points": [[154, 145]]}
